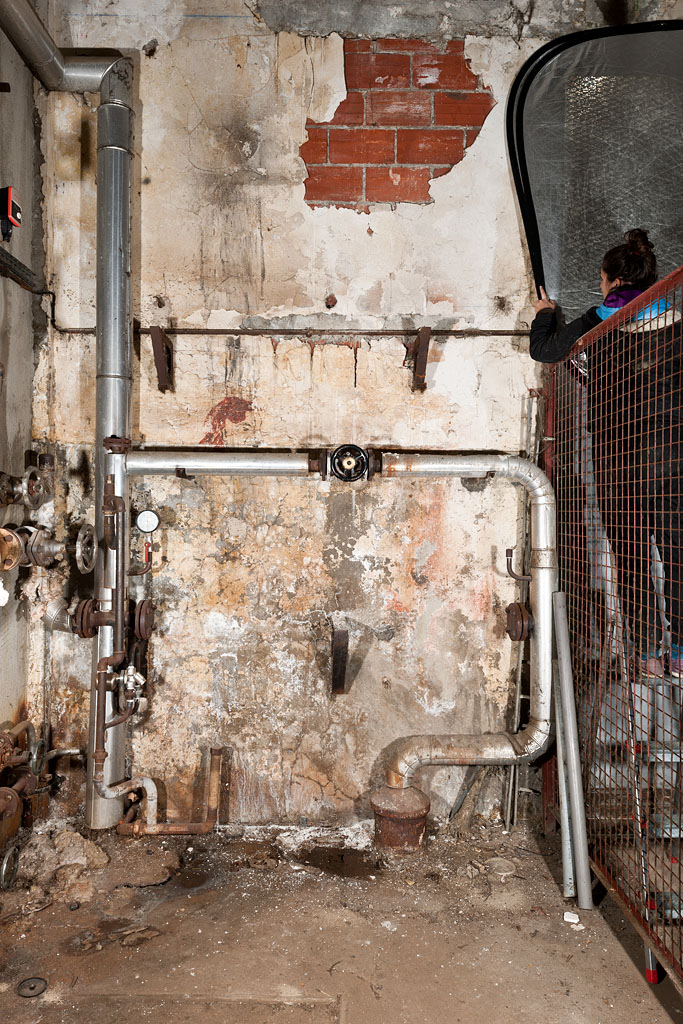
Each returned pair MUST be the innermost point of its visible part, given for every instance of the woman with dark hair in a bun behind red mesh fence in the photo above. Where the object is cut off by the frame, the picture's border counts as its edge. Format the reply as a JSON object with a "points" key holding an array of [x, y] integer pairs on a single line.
{"points": [[633, 386]]}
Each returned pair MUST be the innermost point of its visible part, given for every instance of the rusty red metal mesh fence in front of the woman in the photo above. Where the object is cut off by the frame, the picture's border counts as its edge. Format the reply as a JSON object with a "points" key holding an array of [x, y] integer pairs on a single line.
{"points": [[617, 461]]}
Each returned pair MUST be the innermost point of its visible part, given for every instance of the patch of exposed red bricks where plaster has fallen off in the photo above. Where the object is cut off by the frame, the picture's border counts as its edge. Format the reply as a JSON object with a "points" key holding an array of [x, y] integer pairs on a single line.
{"points": [[412, 110]]}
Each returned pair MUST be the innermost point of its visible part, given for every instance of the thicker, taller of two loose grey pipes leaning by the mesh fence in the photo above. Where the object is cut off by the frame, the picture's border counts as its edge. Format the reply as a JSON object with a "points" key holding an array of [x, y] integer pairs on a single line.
{"points": [[582, 865]]}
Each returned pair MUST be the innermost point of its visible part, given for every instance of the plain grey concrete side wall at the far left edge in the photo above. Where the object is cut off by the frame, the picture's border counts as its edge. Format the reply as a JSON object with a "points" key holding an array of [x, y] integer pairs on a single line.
{"points": [[19, 167]]}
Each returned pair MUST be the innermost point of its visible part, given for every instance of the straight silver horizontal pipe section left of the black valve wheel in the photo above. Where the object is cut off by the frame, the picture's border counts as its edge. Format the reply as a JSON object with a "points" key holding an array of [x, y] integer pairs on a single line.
{"points": [[166, 462]]}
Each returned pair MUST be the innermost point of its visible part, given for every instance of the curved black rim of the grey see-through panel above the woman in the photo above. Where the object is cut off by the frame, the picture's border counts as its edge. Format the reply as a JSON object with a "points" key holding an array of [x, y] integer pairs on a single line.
{"points": [[515, 121]]}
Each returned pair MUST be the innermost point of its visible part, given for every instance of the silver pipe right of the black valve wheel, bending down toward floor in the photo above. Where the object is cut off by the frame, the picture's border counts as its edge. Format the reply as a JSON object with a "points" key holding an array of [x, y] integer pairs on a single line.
{"points": [[416, 752]]}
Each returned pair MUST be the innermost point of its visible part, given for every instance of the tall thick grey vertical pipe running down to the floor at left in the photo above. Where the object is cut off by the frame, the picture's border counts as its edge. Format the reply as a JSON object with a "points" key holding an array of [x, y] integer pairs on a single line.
{"points": [[114, 347]]}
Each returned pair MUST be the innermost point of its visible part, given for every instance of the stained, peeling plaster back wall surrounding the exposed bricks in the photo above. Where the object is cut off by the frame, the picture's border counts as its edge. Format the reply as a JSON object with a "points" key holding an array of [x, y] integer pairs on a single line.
{"points": [[249, 575]]}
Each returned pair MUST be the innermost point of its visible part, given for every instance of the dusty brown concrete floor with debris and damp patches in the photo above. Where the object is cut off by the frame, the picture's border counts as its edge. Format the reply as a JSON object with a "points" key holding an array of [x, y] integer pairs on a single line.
{"points": [[264, 930]]}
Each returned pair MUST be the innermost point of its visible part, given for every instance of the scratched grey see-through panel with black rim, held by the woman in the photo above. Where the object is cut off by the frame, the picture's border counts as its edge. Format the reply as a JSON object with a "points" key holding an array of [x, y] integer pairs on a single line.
{"points": [[596, 148]]}
